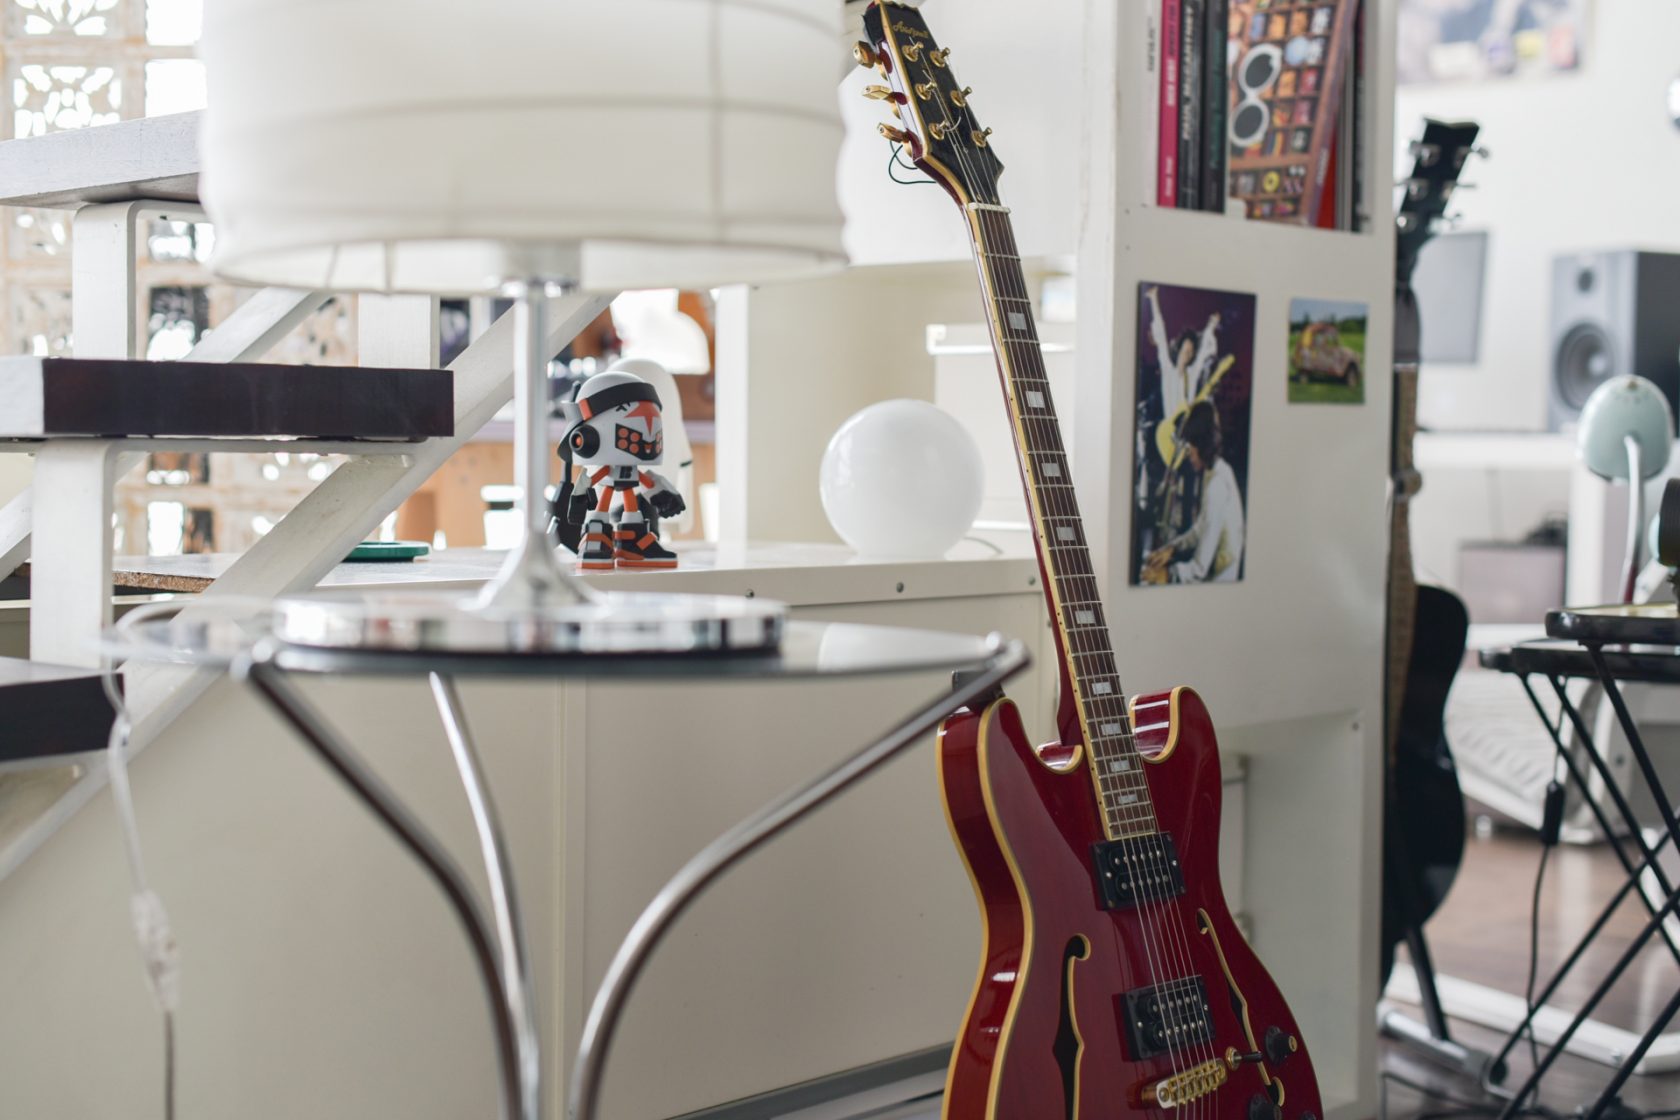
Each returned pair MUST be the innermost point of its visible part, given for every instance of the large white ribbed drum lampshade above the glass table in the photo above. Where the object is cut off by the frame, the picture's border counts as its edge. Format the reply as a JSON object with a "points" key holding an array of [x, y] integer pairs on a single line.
{"points": [[446, 147]]}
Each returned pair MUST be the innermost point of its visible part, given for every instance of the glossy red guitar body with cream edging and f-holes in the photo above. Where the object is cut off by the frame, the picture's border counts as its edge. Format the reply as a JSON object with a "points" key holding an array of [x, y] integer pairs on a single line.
{"points": [[1046, 1035]]}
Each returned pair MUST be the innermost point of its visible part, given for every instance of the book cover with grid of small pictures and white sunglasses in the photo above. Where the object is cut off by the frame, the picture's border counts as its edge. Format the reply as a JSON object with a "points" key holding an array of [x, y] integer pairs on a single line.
{"points": [[1289, 63]]}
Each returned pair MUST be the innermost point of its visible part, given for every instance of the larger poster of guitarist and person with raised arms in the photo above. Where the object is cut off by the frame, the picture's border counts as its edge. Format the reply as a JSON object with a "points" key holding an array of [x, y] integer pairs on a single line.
{"points": [[1195, 377]]}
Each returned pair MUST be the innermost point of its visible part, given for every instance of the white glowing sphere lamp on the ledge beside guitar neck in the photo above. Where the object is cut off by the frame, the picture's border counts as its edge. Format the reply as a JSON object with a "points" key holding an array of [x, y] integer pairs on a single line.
{"points": [[903, 481]]}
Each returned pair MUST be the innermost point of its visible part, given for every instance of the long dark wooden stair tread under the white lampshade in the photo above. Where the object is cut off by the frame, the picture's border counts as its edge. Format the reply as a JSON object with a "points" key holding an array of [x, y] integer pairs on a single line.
{"points": [[97, 397]]}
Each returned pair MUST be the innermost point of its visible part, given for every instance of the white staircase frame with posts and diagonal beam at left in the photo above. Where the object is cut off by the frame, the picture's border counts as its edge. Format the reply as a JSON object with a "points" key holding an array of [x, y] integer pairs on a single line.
{"points": [[117, 177]]}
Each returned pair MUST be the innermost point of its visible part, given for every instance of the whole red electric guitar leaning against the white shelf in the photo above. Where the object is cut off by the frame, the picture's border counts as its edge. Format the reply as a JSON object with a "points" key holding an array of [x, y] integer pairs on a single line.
{"points": [[1115, 981]]}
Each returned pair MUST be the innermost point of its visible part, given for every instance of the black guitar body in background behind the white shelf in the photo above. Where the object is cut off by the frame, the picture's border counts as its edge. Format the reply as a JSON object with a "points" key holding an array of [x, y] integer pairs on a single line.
{"points": [[1425, 835]]}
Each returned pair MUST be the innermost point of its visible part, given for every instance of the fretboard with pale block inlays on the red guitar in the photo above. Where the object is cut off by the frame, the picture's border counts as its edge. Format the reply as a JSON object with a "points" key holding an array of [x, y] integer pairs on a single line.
{"points": [[1083, 629]]}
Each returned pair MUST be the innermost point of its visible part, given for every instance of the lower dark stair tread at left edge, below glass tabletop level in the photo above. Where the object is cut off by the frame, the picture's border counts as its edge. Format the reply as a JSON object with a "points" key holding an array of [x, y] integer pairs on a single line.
{"points": [[51, 711]]}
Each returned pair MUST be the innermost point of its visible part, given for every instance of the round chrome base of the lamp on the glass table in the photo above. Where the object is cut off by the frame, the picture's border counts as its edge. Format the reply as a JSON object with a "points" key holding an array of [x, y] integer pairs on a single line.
{"points": [[614, 624]]}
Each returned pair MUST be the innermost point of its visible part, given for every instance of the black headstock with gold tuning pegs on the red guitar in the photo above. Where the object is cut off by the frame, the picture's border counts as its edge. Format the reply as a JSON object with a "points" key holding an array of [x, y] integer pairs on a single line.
{"points": [[937, 122]]}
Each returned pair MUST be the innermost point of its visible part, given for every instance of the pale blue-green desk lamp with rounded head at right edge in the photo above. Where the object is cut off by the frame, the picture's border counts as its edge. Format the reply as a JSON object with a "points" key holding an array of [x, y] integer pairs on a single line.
{"points": [[1627, 432]]}
